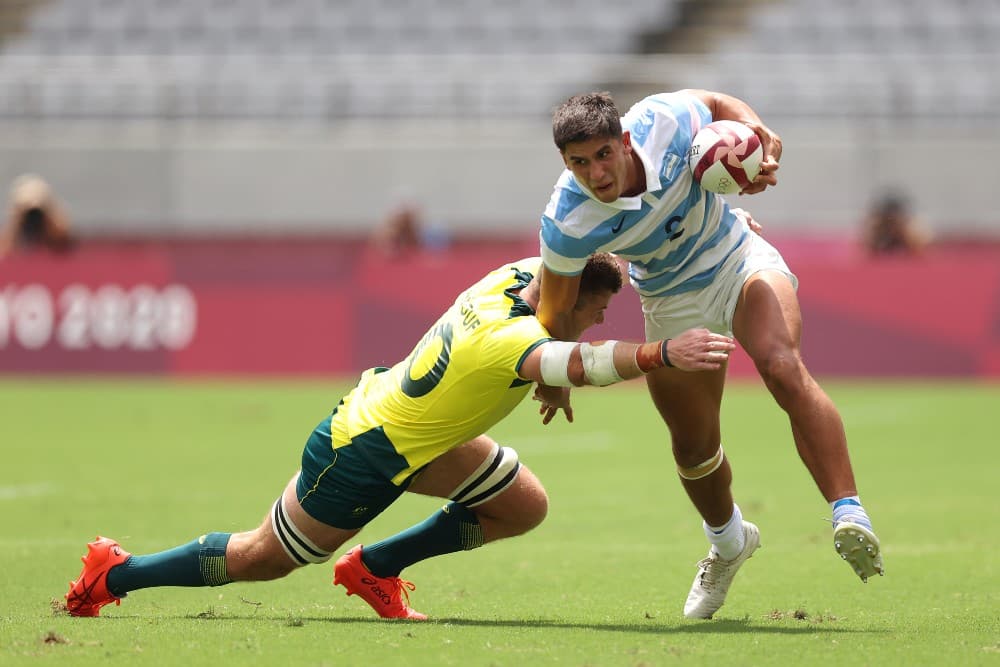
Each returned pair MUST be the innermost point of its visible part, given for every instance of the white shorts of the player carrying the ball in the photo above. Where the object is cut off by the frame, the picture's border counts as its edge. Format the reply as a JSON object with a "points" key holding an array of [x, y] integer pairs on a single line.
{"points": [[713, 306]]}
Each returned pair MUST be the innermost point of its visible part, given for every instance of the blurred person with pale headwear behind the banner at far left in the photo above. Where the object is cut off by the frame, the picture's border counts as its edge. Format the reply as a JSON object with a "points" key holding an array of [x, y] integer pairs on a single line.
{"points": [[35, 218]]}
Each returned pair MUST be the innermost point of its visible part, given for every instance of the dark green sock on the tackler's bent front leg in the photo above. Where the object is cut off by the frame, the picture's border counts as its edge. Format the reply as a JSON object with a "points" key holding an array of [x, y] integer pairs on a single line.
{"points": [[452, 528]]}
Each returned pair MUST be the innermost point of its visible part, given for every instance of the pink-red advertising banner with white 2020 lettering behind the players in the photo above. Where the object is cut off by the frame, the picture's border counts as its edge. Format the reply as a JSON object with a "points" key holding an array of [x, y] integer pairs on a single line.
{"points": [[332, 307]]}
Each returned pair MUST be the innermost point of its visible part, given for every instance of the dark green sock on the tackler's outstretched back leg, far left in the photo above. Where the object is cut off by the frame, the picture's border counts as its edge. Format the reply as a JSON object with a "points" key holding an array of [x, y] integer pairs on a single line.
{"points": [[198, 563]]}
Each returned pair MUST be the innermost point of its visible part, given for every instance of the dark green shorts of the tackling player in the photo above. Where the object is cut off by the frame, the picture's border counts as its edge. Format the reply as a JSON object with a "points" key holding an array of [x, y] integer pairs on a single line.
{"points": [[348, 486]]}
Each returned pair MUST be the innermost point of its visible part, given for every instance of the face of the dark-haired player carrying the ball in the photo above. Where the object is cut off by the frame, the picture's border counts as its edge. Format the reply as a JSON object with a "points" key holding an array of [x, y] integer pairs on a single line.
{"points": [[601, 165]]}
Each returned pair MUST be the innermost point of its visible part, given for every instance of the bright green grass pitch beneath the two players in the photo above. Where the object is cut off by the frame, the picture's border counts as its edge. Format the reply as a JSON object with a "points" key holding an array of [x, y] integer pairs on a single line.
{"points": [[601, 582]]}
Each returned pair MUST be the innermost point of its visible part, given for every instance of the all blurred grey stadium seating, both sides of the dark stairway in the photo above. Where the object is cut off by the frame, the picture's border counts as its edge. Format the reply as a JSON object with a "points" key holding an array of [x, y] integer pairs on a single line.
{"points": [[330, 59]]}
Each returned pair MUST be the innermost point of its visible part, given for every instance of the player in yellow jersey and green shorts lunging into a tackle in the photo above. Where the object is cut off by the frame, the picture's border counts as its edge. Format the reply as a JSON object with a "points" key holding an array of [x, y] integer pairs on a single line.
{"points": [[418, 426]]}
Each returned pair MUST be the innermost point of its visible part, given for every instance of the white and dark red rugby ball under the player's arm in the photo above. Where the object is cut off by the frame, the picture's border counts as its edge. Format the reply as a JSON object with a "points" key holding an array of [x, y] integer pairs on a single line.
{"points": [[725, 156]]}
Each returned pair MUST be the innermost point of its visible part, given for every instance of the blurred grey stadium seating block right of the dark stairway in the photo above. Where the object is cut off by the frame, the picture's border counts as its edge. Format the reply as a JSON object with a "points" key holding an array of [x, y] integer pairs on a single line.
{"points": [[856, 58]]}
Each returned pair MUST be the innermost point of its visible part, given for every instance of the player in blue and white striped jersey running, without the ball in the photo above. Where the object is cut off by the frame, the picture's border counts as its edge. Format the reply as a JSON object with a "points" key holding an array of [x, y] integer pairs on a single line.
{"points": [[627, 189]]}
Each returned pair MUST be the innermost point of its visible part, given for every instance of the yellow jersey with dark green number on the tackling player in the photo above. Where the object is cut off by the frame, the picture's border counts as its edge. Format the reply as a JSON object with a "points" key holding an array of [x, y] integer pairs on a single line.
{"points": [[460, 379]]}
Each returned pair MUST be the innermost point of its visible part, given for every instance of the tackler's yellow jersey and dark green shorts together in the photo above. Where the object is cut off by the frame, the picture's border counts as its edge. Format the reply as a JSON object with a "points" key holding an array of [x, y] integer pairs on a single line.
{"points": [[460, 379]]}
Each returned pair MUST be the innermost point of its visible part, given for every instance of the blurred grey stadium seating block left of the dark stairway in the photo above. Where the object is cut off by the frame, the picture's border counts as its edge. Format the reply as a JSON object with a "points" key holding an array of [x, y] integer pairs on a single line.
{"points": [[315, 59]]}
